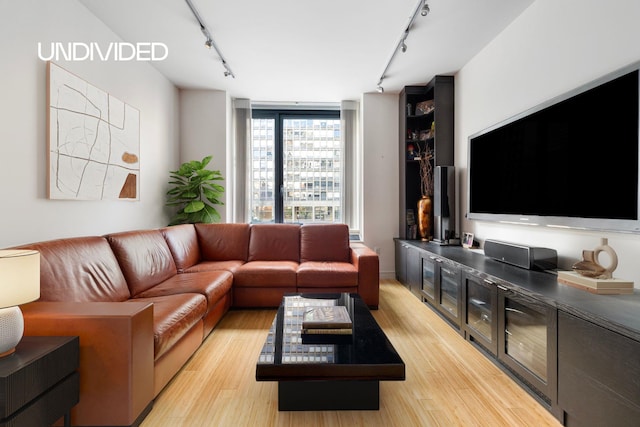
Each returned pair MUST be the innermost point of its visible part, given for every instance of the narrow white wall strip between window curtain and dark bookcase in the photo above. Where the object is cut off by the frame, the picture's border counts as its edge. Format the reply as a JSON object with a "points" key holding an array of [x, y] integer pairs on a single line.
{"points": [[380, 177]]}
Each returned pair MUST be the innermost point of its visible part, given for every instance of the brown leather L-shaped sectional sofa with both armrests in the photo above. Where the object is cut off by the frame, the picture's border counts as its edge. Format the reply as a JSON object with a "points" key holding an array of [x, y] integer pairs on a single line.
{"points": [[143, 301]]}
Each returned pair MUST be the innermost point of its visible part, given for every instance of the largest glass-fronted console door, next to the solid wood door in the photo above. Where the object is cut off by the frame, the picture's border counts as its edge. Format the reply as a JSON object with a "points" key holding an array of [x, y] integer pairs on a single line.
{"points": [[527, 341]]}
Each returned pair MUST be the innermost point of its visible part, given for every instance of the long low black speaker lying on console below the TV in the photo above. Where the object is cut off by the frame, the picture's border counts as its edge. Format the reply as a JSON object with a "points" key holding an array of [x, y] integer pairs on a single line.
{"points": [[529, 257]]}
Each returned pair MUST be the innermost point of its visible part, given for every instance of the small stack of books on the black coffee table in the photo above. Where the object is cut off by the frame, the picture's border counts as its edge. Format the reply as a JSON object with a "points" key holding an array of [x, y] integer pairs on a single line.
{"points": [[327, 320]]}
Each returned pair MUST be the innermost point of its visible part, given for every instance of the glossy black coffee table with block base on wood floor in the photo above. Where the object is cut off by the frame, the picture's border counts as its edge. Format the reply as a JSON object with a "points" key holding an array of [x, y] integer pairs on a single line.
{"points": [[327, 372]]}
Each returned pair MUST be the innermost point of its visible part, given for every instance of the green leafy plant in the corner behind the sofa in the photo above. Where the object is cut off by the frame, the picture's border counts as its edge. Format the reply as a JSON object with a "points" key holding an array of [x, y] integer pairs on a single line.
{"points": [[193, 189]]}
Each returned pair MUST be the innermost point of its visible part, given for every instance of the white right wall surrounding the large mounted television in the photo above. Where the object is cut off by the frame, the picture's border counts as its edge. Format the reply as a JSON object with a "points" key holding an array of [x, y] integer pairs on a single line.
{"points": [[552, 48]]}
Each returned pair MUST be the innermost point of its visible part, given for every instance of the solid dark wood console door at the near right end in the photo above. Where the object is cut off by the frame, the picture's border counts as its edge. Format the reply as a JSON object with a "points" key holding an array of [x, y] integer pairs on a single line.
{"points": [[598, 375]]}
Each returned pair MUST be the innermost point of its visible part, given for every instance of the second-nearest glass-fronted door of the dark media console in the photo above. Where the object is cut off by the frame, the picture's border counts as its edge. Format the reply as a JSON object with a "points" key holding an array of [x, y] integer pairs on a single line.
{"points": [[481, 316]]}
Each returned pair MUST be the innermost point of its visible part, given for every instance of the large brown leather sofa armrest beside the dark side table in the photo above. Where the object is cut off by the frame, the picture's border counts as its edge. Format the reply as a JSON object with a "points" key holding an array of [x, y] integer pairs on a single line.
{"points": [[116, 355]]}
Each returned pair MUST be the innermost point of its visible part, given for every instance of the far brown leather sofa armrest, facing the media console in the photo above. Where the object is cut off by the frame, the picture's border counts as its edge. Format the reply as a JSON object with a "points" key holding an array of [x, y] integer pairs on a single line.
{"points": [[368, 265]]}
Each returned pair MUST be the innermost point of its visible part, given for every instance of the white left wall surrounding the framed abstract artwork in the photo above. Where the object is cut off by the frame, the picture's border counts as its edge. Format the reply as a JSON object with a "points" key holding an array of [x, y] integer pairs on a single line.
{"points": [[27, 215]]}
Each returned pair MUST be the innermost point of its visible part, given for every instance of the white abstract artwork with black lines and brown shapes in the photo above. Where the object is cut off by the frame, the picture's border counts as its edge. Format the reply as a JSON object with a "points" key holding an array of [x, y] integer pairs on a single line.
{"points": [[93, 143]]}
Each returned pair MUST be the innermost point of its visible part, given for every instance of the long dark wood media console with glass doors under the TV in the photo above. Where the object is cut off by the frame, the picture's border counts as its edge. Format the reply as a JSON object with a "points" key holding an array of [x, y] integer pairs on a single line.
{"points": [[576, 352]]}
